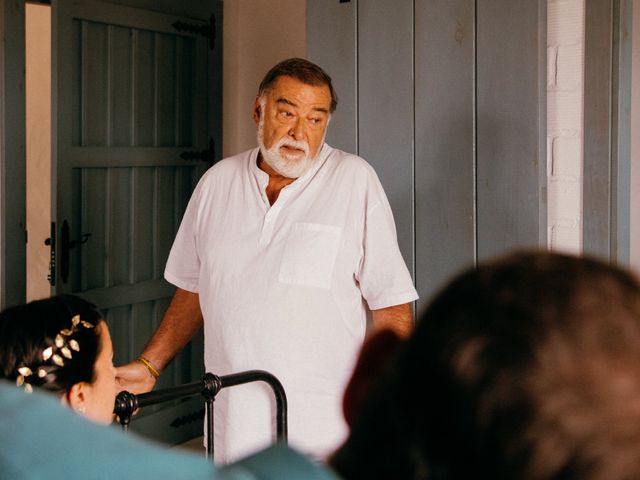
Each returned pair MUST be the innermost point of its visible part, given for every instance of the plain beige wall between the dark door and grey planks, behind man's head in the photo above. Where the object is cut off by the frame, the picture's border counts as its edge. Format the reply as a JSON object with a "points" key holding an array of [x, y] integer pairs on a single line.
{"points": [[257, 34]]}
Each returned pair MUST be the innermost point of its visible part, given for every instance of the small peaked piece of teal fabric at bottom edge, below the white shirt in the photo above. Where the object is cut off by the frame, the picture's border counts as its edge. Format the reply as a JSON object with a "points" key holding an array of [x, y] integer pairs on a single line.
{"points": [[277, 462]]}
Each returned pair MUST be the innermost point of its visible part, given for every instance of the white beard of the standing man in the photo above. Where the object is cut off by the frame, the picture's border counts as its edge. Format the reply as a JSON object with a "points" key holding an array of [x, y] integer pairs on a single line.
{"points": [[290, 166]]}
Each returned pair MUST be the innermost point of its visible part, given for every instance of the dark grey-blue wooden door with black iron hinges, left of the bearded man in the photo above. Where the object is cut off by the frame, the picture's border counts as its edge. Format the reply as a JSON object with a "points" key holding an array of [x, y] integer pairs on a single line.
{"points": [[130, 95]]}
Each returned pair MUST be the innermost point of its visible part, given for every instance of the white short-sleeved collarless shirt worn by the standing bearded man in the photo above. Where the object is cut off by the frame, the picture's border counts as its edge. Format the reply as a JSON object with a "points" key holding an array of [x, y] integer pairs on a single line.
{"points": [[283, 288]]}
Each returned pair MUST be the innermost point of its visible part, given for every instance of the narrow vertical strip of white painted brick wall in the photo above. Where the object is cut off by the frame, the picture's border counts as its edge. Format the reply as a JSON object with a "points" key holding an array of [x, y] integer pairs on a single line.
{"points": [[565, 52]]}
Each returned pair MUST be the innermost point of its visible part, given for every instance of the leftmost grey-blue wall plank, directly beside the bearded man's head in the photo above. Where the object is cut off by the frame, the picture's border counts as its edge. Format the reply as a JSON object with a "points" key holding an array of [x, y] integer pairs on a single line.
{"points": [[332, 44]]}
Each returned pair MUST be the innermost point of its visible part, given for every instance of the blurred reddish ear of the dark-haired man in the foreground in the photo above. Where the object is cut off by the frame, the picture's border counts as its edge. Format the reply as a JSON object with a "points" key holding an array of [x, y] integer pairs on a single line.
{"points": [[376, 353]]}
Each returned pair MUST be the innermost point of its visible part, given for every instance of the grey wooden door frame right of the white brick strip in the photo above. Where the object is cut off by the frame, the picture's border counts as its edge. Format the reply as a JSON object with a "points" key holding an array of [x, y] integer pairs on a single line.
{"points": [[607, 129]]}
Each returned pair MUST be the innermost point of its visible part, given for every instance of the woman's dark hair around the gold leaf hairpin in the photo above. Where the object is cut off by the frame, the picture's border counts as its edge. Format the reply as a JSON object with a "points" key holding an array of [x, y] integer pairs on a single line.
{"points": [[27, 330]]}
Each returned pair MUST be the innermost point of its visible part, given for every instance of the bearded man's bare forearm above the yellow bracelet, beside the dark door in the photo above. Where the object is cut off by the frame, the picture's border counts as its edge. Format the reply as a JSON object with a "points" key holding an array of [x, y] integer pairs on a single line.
{"points": [[180, 323]]}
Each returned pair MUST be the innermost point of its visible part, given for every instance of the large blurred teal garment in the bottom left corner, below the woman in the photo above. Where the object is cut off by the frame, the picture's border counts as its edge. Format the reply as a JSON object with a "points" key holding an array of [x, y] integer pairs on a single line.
{"points": [[42, 439]]}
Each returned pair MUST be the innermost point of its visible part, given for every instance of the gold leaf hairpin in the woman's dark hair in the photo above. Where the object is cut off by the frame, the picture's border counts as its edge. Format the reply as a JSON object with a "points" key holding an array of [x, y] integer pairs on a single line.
{"points": [[62, 348]]}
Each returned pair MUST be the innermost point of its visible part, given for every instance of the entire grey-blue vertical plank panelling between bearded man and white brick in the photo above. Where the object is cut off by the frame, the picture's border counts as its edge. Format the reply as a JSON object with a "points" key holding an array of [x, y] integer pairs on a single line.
{"points": [[479, 135]]}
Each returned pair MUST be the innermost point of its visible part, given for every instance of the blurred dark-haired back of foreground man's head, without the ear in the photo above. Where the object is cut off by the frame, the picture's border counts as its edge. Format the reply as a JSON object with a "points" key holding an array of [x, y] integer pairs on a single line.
{"points": [[524, 368]]}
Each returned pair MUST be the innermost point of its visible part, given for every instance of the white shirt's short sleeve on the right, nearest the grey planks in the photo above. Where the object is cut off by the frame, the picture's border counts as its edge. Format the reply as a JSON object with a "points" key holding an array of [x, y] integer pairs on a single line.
{"points": [[382, 275]]}
